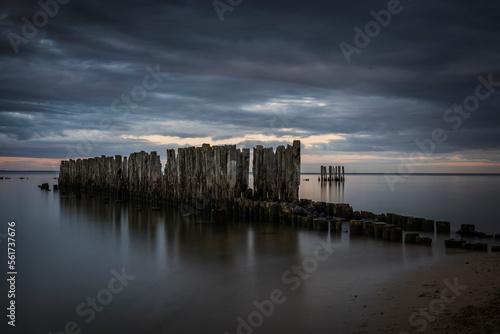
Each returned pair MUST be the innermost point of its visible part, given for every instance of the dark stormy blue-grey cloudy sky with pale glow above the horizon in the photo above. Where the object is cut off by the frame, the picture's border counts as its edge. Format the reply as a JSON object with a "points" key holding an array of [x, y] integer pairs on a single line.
{"points": [[377, 86]]}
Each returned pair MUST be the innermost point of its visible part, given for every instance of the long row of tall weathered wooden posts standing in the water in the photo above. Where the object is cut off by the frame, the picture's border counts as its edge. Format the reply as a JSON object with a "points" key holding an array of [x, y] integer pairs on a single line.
{"points": [[216, 174]]}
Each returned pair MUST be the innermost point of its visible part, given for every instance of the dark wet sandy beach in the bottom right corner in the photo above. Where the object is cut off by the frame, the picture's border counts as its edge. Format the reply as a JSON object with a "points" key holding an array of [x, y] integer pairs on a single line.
{"points": [[459, 296]]}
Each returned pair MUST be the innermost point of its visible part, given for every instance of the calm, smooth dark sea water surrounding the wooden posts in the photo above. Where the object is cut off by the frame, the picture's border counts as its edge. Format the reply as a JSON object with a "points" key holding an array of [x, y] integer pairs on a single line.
{"points": [[86, 266]]}
